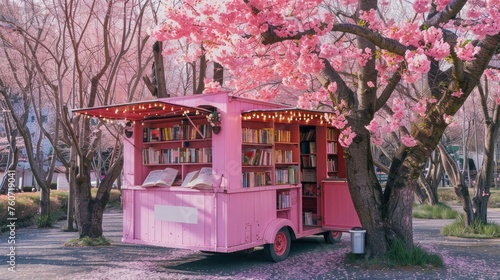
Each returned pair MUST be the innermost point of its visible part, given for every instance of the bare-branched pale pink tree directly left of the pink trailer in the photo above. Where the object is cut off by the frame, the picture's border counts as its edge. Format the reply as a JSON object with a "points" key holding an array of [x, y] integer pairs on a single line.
{"points": [[85, 53]]}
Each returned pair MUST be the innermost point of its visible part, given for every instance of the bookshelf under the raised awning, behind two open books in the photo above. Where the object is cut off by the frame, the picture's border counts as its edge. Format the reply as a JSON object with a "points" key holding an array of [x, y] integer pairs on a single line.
{"points": [[176, 143]]}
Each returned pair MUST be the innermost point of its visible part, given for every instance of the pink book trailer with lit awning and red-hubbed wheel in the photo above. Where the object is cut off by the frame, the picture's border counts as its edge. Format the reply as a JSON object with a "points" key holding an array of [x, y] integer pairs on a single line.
{"points": [[268, 165]]}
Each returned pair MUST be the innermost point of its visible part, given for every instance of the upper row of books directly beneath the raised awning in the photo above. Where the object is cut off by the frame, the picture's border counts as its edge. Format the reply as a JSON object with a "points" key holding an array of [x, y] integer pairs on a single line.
{"points": [[176, 132]]}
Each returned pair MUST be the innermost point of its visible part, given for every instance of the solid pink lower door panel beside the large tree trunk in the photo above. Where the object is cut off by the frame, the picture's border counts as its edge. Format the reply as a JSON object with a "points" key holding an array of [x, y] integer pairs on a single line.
{"points": [[338, 210]]}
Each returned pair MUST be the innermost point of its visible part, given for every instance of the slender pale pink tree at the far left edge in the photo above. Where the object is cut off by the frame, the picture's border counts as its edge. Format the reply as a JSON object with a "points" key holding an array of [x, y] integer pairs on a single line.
{"points": [[18, 86]]}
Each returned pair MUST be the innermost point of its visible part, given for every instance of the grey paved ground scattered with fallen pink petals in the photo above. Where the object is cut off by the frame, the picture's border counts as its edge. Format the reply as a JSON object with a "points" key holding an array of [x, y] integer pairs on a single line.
{"points": [[40, 254]]}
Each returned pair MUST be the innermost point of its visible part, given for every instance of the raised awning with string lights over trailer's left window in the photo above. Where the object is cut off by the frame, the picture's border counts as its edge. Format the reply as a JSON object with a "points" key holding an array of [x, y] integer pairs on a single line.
{"points": [[142, 110]]}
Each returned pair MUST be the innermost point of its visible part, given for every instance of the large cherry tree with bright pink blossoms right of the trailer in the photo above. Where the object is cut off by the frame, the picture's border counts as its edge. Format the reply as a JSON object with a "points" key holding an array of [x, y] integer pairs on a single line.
{"points": [[361, 52]]}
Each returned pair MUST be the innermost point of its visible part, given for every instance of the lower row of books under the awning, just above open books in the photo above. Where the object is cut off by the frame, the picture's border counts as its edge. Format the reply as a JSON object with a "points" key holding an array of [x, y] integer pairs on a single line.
{"points": [[176, 155]]}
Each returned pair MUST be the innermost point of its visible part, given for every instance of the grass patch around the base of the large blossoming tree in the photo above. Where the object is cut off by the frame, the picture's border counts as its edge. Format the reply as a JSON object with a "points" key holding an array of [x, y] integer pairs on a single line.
{"points": [[399, 256]]}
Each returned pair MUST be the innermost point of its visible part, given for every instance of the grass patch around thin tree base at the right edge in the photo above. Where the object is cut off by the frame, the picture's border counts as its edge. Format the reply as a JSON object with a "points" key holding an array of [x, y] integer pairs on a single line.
{"points": [[476, 230]]}
